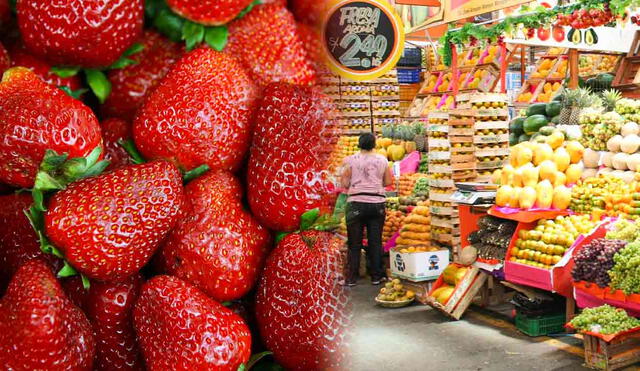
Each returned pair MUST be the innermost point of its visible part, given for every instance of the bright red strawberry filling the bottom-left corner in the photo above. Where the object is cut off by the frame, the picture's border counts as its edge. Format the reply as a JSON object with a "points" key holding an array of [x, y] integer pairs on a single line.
{"points": [[40, 329]]}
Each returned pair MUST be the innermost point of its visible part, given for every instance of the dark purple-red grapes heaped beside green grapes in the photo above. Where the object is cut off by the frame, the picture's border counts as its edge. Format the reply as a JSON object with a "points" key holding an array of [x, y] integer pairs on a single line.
{"points": [[594, 260]]}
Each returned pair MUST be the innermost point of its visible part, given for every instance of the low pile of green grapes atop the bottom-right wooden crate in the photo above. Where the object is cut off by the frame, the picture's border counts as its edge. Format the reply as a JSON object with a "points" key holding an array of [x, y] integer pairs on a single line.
{"points": [[604, 320]]}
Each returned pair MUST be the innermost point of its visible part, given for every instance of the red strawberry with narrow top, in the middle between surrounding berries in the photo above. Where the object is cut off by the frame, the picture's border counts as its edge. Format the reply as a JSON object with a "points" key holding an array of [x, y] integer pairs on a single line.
{"points": [[218, 247]]}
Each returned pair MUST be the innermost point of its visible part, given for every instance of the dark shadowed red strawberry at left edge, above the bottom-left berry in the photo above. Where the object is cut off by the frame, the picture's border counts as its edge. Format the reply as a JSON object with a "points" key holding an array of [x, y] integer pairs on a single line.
{"points": [[18, 241]]}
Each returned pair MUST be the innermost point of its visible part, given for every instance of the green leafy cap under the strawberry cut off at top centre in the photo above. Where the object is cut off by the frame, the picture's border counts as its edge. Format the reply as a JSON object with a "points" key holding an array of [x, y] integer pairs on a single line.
{"points": [[178, 28]]}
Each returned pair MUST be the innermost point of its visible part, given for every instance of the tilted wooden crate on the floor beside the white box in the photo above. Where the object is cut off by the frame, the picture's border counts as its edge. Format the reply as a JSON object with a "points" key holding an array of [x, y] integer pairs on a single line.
{"points": [[464, 293]]}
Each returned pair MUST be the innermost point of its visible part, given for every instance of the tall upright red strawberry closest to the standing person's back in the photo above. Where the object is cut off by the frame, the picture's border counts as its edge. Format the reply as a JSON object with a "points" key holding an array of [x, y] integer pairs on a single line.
{"points": [[293, 137]]}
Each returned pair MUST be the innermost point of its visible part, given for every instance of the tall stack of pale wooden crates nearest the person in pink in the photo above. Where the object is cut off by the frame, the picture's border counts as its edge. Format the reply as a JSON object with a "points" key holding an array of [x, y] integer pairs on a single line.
{"points": [[451, 159]]}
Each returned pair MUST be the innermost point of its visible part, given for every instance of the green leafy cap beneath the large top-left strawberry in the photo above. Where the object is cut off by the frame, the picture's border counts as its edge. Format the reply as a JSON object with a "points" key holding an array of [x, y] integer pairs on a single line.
{"points": [[96, 78]]}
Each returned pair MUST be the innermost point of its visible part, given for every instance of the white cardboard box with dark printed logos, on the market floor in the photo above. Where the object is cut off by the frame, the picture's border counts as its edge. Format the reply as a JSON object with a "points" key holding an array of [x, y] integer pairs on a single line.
{"points": [[418, 266]]}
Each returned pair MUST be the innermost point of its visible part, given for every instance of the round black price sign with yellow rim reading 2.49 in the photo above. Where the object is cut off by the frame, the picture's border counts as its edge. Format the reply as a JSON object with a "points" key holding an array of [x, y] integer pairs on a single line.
{"points": [[363, 39]]}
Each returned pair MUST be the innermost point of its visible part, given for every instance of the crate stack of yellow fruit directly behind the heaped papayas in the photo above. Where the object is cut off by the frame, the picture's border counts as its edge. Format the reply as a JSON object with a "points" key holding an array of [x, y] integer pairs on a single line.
{"points": [[491, 137]]}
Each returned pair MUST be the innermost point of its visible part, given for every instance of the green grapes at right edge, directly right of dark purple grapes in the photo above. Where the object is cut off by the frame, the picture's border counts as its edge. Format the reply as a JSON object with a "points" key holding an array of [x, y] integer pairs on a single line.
{"points": [[625, 274]]}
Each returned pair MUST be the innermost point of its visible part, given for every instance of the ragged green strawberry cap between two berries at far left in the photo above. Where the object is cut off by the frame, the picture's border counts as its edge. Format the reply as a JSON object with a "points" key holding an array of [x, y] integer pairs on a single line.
{"points": [[56, 172]]}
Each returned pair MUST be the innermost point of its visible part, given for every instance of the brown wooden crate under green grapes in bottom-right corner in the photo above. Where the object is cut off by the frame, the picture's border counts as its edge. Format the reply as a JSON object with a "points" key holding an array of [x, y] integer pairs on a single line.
{"points": [[614, 355]]}
